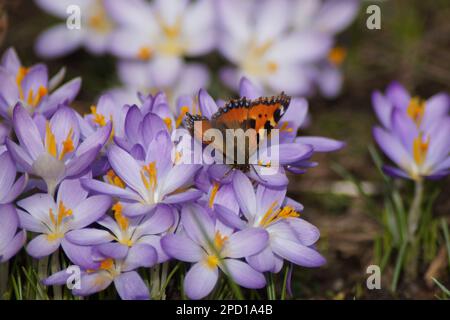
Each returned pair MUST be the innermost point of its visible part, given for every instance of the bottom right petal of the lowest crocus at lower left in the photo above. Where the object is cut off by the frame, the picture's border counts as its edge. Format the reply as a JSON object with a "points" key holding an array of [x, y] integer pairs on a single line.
{"points": [[130, 286]]}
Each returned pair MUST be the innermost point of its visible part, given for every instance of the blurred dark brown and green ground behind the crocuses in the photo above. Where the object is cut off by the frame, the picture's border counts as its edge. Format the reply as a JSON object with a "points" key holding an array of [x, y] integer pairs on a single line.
{"points": [[413, 47]]}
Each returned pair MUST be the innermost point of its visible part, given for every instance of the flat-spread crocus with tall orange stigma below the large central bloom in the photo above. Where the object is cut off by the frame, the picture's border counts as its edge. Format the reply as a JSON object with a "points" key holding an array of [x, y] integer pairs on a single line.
{"points": [[123, 233]]}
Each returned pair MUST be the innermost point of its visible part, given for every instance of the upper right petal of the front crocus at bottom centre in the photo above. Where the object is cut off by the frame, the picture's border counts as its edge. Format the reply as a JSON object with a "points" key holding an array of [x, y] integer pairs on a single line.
{"points": [[245, 243]]}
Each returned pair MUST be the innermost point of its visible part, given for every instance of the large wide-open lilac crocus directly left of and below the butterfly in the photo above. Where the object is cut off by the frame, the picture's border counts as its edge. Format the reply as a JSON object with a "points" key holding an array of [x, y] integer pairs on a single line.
{"points": [[142, 185]]}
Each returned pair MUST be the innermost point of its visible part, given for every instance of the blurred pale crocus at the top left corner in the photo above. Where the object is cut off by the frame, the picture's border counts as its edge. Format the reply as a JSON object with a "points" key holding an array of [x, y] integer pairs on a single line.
{"points": [[93, 33]]}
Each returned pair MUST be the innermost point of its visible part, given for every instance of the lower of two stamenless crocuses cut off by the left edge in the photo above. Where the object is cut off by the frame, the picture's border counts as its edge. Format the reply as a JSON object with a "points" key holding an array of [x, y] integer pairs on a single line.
{"points": [[10, 240]]}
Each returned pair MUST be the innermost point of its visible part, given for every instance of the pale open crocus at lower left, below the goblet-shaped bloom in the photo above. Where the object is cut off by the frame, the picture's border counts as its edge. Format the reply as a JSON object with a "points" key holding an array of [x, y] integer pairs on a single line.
{"points": [[51, 219]]}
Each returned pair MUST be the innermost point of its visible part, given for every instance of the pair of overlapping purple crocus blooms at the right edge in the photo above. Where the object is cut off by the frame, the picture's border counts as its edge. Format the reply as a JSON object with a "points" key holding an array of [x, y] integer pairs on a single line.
{"points": [[415, 133]]}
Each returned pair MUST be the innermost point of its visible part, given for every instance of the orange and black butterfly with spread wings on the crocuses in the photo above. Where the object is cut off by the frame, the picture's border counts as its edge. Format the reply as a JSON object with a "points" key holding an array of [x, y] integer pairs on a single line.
{"points": [[243, 113]]}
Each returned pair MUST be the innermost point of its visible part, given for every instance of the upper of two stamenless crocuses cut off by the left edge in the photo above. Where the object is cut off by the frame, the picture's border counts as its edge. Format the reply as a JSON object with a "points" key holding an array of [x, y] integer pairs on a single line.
{"points": [[10, 188]]}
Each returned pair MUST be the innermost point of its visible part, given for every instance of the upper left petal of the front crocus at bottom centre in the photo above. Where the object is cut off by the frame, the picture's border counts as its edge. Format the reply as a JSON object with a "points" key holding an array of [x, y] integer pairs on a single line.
{"points": [[180, 247]]}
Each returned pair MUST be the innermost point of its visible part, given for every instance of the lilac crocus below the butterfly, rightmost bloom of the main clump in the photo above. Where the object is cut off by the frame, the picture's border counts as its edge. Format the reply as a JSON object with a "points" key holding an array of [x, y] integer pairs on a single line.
{"points": [[290, 237]]}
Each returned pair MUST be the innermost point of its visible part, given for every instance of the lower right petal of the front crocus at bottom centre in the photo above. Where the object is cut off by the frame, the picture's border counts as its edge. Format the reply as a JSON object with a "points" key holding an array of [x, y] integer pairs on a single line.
{"points": [[244, 275]]}
